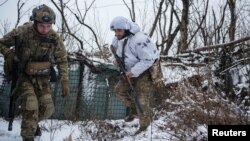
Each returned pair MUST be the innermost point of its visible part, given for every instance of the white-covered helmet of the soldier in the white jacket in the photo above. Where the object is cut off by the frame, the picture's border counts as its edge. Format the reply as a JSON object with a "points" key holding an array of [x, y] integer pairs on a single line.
{"points": [[120, 23]]}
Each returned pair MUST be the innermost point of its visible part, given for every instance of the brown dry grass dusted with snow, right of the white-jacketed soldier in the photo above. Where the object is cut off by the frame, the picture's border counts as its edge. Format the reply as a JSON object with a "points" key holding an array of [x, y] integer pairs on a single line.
{"points": [[189, 106]]}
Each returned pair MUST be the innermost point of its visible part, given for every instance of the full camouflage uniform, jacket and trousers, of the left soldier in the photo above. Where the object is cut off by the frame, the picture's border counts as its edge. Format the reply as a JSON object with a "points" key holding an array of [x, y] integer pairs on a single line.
{"points": [[35, 92]]}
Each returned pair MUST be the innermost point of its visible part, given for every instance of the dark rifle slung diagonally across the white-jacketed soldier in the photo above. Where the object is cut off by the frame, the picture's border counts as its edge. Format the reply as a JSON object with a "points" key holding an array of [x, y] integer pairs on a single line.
{"points": [[132, 90]]}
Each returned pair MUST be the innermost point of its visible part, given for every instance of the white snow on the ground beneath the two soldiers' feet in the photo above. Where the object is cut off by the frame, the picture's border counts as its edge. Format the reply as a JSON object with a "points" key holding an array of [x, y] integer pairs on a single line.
{"points": [[56, 130]]}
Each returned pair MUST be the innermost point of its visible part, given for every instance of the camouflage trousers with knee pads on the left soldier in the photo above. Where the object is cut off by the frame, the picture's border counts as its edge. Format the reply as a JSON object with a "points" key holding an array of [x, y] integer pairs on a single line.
{"points": [[36, 103]]}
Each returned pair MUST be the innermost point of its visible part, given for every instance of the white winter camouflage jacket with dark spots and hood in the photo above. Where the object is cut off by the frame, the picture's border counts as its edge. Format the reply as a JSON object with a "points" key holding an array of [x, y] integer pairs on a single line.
{"points": [[140, 51]]}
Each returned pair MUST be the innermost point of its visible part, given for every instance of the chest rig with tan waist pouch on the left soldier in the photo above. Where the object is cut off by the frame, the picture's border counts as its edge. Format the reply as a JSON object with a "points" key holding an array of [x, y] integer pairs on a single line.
{"points": [[36, 52]]}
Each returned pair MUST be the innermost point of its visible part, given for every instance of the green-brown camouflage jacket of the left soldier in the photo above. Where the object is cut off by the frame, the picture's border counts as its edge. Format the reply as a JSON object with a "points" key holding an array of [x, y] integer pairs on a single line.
{"points": [[32, 46]]}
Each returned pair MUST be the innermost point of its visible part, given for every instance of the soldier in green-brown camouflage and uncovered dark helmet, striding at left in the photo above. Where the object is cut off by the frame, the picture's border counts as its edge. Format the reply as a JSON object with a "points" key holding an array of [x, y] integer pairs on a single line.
{"points": [[37, 45]]}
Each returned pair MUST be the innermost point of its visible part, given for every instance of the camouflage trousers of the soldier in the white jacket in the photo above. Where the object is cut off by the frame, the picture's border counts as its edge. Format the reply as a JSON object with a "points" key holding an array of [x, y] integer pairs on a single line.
{"points": [[144, 89]]}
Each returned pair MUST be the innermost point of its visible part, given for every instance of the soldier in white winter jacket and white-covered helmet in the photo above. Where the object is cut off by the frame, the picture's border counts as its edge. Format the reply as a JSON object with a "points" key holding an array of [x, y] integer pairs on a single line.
{"points": [[138, 53]]}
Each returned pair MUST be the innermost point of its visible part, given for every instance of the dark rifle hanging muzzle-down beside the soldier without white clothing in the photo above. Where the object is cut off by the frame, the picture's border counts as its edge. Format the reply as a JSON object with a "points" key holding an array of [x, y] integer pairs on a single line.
{"points": [[13, 96]]}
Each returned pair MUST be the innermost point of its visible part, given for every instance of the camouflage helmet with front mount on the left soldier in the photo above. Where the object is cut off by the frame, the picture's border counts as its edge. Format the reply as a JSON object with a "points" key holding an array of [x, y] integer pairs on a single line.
{"points": [[43, 14]]}
